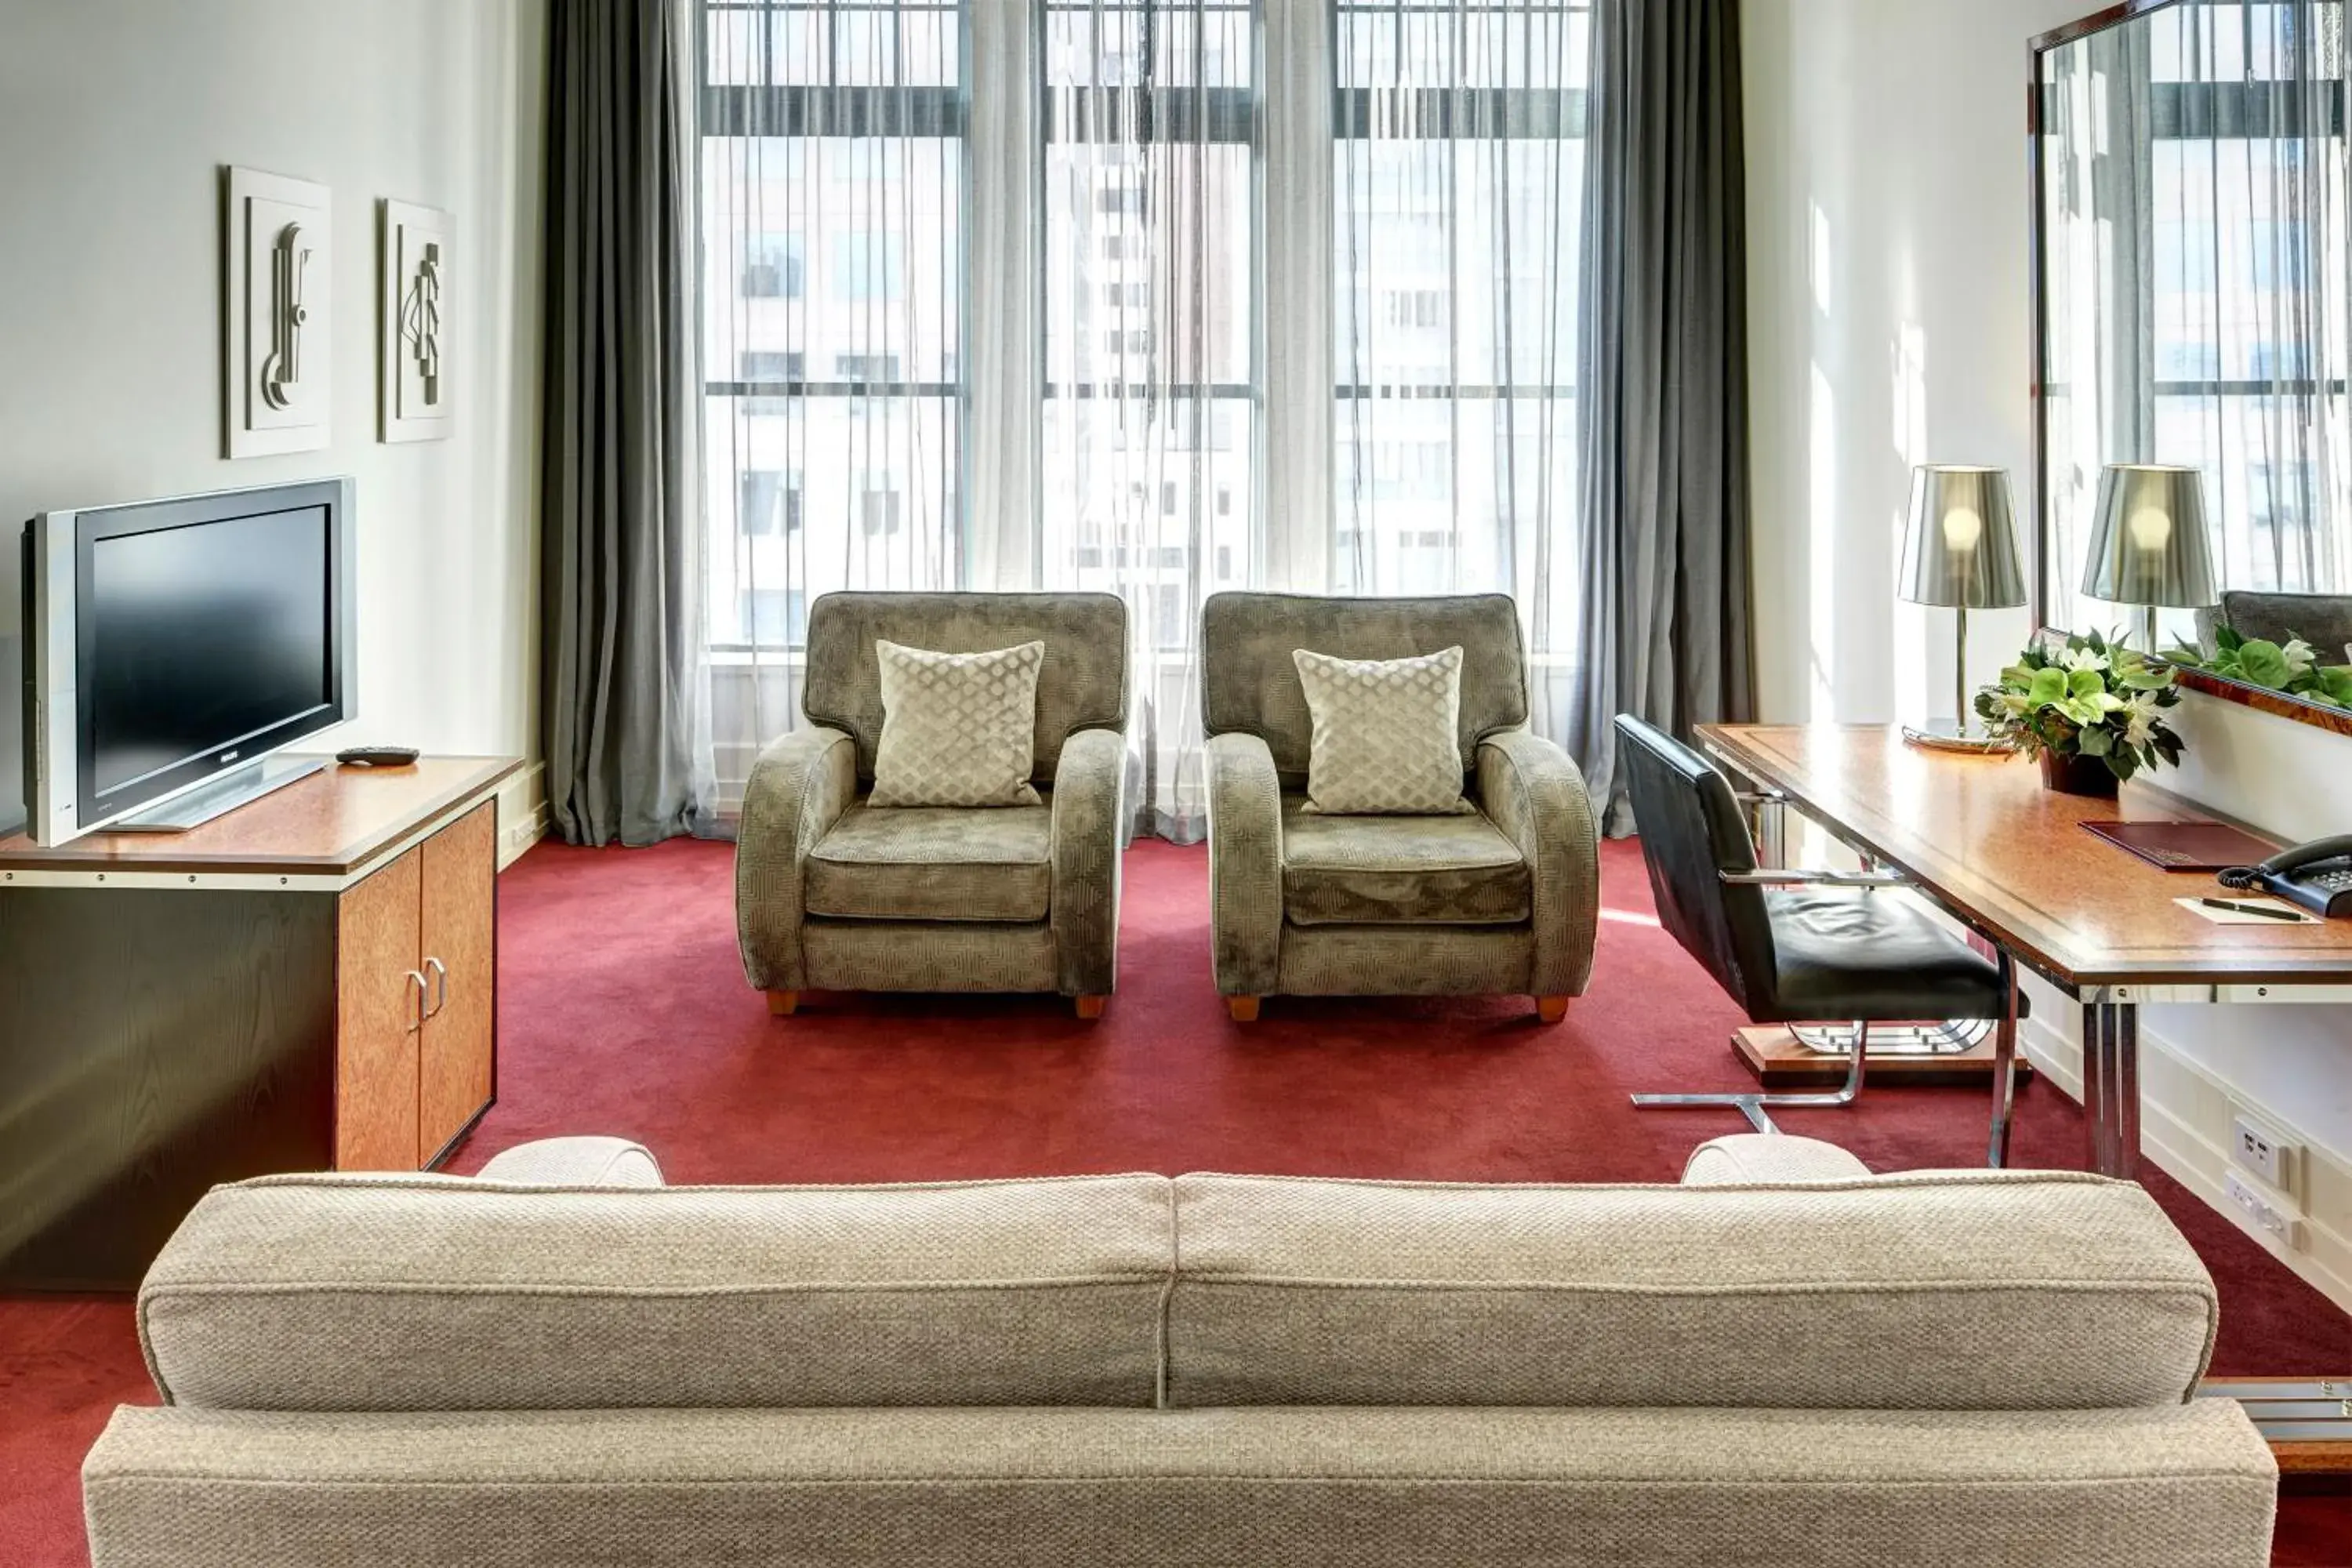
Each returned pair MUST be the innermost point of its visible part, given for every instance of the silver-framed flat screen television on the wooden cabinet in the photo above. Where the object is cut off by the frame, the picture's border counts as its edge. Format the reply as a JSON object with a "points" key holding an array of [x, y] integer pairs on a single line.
{"points": [[175, 645]]}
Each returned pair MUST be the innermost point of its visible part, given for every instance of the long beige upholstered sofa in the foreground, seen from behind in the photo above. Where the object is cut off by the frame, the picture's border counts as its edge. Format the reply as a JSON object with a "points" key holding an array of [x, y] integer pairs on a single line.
{"points": [[1779, 1362]]}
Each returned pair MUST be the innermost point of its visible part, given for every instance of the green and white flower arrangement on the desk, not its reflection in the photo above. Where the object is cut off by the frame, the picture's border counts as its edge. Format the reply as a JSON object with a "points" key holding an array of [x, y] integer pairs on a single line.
{"points": [[2085, 699]]}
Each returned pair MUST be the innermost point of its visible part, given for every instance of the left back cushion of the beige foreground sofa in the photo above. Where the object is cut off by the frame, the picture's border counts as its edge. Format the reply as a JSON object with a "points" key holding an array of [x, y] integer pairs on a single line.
{"points": [[439, 1294]]}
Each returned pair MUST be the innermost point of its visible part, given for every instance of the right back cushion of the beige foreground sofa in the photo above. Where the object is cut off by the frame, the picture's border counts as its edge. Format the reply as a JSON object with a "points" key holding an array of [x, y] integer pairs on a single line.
{"points": [[1939, 1292]]}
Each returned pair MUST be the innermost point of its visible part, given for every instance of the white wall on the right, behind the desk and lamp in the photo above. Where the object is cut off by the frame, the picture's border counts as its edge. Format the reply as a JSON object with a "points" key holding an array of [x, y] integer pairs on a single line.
{"points": [[1887, 206]]}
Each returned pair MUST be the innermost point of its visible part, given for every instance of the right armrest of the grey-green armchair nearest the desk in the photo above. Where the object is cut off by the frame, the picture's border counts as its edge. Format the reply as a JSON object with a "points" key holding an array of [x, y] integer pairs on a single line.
{"points": [[1532, 791]]}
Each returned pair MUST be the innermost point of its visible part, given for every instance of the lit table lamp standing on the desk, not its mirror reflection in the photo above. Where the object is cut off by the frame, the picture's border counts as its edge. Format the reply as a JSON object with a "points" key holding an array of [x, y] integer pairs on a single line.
{"points": [[1960, 554]]}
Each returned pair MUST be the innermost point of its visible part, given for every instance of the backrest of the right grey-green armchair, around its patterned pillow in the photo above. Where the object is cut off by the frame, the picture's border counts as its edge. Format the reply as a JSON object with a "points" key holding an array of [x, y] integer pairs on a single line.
{"points": [[1250, 683]]}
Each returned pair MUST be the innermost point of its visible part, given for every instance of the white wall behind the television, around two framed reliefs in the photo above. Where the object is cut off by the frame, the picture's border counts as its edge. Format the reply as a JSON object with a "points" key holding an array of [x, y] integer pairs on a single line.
{"points": [[116, 119]]}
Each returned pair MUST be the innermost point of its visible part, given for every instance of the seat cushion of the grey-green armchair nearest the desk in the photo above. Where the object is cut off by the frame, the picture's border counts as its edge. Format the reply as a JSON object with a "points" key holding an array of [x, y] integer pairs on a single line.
{"points": [[1422, 871]]}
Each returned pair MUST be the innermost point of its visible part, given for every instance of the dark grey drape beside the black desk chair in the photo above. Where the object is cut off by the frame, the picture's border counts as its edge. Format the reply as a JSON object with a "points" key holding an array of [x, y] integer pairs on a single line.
{"points": [[1664, 384]]}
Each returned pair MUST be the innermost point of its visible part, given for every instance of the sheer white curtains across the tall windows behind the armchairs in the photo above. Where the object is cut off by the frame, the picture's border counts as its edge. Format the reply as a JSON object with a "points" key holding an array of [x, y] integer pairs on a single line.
{"points": [[1151, 297]]}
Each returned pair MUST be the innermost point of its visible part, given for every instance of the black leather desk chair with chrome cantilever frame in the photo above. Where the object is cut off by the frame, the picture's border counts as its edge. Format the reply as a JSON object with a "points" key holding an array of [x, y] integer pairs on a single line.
{"points": [[1800, 946]]}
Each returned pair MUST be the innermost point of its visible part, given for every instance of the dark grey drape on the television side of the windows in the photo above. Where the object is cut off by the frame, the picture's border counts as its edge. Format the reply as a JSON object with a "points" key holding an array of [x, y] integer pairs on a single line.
{"points": [[620, 518]]}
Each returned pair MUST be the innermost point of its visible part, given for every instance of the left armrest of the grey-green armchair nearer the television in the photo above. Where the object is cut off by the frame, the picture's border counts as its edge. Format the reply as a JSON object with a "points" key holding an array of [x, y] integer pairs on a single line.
{"points": [[799, 791]]}
